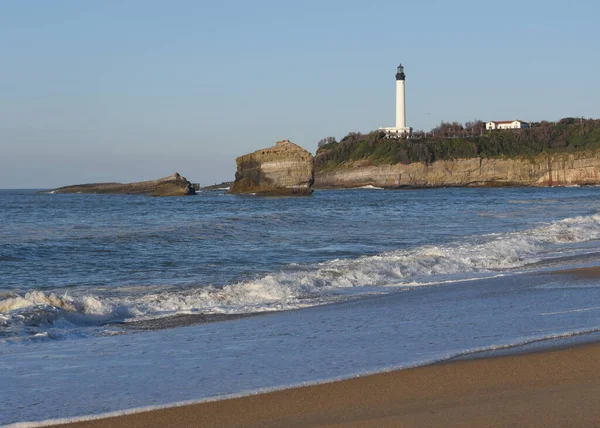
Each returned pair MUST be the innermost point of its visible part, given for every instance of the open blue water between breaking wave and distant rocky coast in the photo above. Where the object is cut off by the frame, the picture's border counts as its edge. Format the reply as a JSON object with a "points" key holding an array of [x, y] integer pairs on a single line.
{"points": [[55, 242]]}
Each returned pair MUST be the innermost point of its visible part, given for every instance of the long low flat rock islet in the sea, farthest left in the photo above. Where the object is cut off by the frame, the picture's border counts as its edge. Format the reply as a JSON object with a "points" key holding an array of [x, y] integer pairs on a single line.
{"points": [[174, 185]]}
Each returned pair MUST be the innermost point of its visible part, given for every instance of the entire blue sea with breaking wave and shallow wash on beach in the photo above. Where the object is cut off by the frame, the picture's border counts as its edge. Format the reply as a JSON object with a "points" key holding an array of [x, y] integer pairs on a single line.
{"points": [[119, 303]]}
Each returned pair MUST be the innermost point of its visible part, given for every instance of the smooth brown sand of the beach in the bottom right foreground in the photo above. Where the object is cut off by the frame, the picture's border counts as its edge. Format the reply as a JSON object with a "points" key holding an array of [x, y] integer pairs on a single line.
{"points": [[553, 388]]}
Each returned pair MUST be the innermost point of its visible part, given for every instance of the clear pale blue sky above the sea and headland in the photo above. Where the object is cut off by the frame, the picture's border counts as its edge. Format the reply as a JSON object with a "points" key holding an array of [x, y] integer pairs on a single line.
{"points": [[133, 90]]}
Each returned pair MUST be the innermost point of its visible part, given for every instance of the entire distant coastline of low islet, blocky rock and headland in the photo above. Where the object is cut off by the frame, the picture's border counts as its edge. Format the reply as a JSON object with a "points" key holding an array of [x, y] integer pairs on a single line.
{"points": [[563, 153]]}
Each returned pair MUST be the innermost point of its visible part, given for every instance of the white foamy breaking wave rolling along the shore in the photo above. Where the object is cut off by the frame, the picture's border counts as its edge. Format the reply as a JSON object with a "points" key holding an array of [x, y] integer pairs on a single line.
{"points": [[300, 286]]}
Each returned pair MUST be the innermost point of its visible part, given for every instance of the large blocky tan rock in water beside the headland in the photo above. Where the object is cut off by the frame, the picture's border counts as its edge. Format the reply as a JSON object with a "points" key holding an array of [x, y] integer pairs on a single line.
{"points": [[285, 169]]}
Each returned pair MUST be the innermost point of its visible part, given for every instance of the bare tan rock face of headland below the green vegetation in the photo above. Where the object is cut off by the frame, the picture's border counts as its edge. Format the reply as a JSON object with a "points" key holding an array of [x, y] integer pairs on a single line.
{"points": [[580, 168]]}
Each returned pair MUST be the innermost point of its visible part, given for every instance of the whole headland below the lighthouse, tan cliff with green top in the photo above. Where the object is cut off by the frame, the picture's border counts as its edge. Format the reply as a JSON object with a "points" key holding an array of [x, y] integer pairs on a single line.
{"points": [[565, 153]]}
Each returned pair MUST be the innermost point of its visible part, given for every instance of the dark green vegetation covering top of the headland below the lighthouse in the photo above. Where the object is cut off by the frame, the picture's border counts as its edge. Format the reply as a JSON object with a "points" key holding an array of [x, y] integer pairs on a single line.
{"points": [[455, 141]]}
